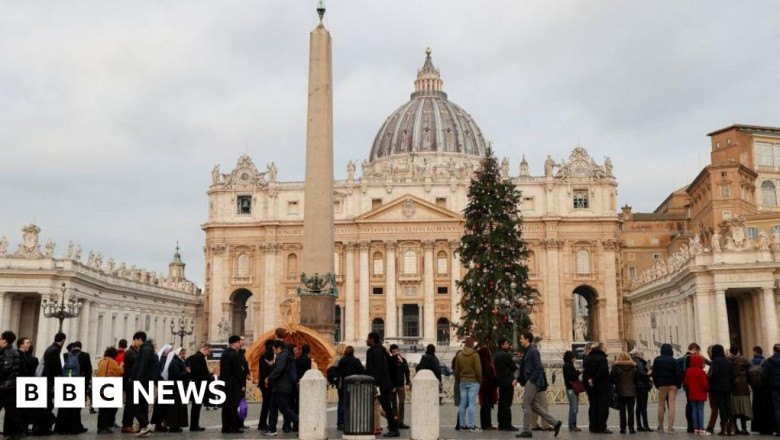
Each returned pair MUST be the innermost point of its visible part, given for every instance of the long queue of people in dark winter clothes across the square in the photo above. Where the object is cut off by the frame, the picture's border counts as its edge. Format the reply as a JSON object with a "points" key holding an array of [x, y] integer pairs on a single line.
{"points": [[724, 378]]}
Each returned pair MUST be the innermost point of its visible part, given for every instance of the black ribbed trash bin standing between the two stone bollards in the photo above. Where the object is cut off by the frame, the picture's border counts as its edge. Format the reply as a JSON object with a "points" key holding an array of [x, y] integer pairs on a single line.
{"points": [[359, 405]]}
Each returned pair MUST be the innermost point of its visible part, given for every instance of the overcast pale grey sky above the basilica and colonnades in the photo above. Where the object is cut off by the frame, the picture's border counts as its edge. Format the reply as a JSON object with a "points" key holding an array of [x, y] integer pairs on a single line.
{"points": [[112, 114]]}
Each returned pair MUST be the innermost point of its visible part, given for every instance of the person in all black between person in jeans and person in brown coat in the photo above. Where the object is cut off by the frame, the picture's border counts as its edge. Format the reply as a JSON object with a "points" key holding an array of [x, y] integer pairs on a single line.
{"points": [[595, 376]]}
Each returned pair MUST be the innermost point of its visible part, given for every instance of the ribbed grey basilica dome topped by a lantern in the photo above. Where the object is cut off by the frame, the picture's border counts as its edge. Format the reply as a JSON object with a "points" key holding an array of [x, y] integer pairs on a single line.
{"points": [[428, 123]]}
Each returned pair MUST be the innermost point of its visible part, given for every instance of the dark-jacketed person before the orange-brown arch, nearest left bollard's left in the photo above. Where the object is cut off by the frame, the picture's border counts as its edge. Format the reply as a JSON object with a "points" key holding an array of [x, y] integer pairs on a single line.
{"points": [[281, 381]]}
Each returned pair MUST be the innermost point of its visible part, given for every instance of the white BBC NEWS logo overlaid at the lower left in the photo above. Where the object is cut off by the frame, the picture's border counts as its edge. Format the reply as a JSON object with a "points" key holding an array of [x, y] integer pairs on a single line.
{"points": [[107, 392]]}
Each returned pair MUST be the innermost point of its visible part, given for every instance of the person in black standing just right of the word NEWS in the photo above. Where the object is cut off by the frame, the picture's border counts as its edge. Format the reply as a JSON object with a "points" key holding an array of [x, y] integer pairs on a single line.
{"points": [[231, 371]]}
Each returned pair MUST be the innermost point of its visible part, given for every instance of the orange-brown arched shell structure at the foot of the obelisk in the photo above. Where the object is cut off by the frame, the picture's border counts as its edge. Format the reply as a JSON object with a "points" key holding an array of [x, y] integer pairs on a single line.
{"points": [[322, 352]]}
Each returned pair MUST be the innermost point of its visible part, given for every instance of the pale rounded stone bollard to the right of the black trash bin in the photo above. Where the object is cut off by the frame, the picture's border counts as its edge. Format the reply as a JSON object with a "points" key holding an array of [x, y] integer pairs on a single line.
{"points": [[425, 406]]}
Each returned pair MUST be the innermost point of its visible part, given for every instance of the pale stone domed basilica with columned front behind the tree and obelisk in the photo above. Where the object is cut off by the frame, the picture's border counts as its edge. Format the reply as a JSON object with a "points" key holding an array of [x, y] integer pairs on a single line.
{"points": [[397, 224]]}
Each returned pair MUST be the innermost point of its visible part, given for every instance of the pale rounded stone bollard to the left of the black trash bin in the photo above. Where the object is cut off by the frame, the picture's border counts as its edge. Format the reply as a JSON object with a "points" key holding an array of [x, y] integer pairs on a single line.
{"points": [[313, 408]]}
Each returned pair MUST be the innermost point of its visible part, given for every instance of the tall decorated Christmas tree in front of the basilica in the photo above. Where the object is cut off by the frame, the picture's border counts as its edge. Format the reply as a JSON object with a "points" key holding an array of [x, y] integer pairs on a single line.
{"points": [[496, 298]]}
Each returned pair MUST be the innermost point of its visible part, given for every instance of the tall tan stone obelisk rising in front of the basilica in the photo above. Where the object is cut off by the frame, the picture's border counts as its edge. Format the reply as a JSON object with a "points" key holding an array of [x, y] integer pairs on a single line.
{"points": [[318, 295]]}
